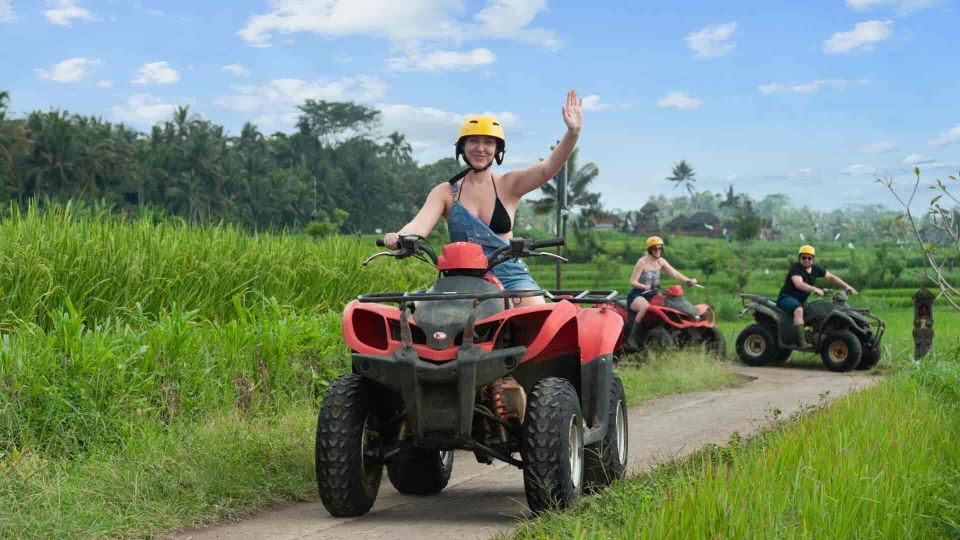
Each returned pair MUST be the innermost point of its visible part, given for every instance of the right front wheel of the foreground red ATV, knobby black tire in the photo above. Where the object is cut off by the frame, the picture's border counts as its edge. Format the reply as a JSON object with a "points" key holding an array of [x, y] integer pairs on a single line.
{"points": [[552, 448]]}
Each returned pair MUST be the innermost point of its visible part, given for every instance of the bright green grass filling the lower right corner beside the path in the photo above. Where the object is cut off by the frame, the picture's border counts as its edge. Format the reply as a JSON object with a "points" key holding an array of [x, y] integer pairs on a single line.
{"points": [[882, 463]]}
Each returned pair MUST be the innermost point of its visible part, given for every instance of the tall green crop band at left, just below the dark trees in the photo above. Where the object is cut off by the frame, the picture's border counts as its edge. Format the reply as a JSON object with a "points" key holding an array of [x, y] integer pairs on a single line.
{"points": [[108, 267]]}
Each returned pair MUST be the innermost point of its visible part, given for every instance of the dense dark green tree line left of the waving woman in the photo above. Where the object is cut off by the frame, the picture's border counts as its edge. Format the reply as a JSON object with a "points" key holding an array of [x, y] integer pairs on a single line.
{"points": [[330, 169]]}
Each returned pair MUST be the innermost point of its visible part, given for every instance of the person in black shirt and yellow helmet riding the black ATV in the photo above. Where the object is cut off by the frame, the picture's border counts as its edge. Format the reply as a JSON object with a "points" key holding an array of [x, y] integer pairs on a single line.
{"points": [[798, 285]]}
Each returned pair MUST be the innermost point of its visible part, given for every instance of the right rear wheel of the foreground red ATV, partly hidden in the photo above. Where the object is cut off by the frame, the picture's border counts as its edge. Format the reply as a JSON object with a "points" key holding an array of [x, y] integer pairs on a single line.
{"points": [[606, 459]]}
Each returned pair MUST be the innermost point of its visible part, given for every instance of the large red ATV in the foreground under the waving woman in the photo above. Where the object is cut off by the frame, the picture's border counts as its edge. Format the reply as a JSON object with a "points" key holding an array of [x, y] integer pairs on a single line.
{"points": [[456, 367]]}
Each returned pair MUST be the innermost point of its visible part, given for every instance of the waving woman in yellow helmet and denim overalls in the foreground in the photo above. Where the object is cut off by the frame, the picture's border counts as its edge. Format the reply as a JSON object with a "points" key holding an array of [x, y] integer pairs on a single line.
{"points": [[479, 206]]}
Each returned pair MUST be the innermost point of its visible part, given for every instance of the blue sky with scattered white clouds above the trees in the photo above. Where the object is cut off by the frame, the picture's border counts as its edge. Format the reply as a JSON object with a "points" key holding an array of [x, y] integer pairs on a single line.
{"points": [[811, 100]]}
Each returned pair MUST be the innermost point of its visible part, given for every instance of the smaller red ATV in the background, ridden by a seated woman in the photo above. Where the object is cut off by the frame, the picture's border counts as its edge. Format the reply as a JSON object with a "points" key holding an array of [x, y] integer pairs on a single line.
{"points": [[672, 321]]}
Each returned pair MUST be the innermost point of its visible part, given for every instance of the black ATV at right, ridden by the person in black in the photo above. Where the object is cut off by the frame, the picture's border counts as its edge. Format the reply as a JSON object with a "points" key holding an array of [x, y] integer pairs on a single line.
{"points": [[846, 337]]}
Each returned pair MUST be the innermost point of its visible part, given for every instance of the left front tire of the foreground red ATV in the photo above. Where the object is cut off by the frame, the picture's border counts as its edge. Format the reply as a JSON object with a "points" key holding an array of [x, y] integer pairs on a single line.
{"points": [[348, 476]]}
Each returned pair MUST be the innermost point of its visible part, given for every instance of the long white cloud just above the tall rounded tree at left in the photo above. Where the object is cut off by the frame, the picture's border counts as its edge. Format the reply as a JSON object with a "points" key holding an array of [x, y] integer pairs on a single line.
{"points": [[281, 96]]}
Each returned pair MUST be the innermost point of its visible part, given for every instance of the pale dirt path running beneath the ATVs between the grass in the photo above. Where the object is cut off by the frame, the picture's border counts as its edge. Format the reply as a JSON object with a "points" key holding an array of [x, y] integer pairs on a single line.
{"points": [[483, 499]]}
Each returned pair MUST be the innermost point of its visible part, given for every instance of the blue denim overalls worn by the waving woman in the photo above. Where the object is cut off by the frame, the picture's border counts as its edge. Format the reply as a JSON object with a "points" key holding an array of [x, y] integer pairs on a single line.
{"points": [[466, 227]]}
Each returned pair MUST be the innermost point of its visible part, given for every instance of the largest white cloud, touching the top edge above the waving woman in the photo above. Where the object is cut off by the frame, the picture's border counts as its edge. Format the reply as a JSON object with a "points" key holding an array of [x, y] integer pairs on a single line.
{"points": [[411, 21]]}
